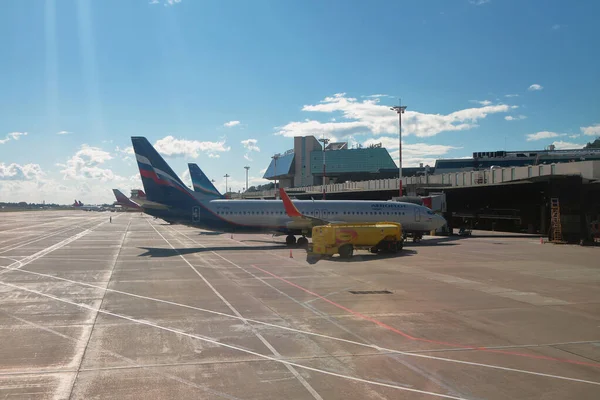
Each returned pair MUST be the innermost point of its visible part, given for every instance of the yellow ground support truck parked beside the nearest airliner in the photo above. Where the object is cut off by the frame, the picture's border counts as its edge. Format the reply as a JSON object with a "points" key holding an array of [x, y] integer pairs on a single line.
{"points": [[343, 239]]}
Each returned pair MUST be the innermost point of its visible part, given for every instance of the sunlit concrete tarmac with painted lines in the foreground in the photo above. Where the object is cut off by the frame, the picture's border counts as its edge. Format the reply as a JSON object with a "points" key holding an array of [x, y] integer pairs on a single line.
{"points": [[140, 309]]}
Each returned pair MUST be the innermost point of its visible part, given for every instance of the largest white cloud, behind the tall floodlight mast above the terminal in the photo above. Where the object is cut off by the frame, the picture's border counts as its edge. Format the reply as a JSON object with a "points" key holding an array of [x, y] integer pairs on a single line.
{"points": [[368, 116]]}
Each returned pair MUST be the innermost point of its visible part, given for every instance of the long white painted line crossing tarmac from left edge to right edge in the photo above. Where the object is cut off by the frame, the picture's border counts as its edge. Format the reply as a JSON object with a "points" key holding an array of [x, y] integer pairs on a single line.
{"points": [[309, 333]]}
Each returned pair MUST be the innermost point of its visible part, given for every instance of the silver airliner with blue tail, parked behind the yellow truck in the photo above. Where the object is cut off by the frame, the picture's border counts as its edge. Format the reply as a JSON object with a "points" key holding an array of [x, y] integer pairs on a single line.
{"points": [[175, 202]]}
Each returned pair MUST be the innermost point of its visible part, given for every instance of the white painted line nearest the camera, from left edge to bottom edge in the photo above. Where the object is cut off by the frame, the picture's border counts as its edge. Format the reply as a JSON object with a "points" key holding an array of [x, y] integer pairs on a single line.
{"points": [[218, 343]]}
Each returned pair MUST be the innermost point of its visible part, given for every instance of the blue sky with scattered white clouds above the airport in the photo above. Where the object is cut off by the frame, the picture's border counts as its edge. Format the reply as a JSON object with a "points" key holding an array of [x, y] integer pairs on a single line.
{"points": [[227, 84]]}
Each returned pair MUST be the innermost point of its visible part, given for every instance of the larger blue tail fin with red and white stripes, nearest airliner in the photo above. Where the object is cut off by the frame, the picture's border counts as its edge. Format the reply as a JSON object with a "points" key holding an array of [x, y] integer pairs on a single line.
{"points": [[161, 184]]}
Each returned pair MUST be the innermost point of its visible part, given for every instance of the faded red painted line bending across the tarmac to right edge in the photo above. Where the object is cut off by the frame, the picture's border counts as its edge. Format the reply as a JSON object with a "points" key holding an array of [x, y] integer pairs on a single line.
{"points": [[410, 337]]}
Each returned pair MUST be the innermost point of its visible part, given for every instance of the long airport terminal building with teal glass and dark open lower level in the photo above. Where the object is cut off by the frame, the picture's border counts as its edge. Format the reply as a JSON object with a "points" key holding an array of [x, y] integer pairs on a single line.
{"points": [[510, 191]]}
